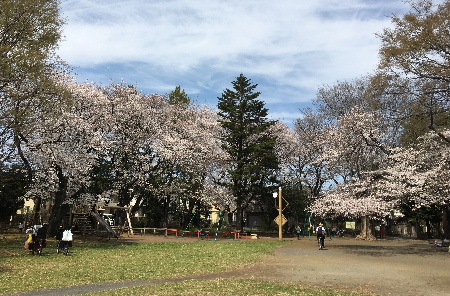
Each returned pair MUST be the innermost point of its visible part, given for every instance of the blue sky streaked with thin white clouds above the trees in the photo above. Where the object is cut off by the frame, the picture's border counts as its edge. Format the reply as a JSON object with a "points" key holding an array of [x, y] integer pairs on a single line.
{"points": [[289, 48]]}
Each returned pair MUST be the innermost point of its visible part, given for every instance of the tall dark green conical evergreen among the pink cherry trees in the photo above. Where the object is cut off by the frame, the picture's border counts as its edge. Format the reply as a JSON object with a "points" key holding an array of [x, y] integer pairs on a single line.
{"points": [[249, 143]]}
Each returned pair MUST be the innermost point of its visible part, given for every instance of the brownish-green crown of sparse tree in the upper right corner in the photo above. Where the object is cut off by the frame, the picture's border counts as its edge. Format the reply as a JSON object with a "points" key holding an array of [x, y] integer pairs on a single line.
{"points": [[415, 61]]}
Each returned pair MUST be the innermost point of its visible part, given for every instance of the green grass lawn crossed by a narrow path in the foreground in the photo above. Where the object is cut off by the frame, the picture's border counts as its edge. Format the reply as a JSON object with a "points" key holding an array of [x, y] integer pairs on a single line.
{"points": [[112, 261]]}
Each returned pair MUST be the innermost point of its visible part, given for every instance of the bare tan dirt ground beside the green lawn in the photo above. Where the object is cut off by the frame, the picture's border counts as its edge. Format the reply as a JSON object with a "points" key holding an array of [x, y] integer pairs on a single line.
{"points": [[382, 267]]}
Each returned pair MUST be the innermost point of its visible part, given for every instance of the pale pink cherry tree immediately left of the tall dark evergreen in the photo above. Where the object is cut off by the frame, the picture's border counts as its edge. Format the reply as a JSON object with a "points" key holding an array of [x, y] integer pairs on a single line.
{"points": [[190, 146]]}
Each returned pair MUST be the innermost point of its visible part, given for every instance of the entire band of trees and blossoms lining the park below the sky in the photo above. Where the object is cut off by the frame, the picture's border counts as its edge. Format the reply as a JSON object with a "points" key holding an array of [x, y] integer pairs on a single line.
{"points": [[364, 149]]}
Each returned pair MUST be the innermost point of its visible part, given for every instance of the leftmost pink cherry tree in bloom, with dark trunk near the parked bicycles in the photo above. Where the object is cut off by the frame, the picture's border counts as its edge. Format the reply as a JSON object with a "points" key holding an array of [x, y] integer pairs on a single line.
{"points": [[62, 149]]}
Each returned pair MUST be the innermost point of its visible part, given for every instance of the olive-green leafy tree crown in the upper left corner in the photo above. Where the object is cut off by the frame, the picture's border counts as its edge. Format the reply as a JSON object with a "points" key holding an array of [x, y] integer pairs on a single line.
{"points": [[29, 34]]}
